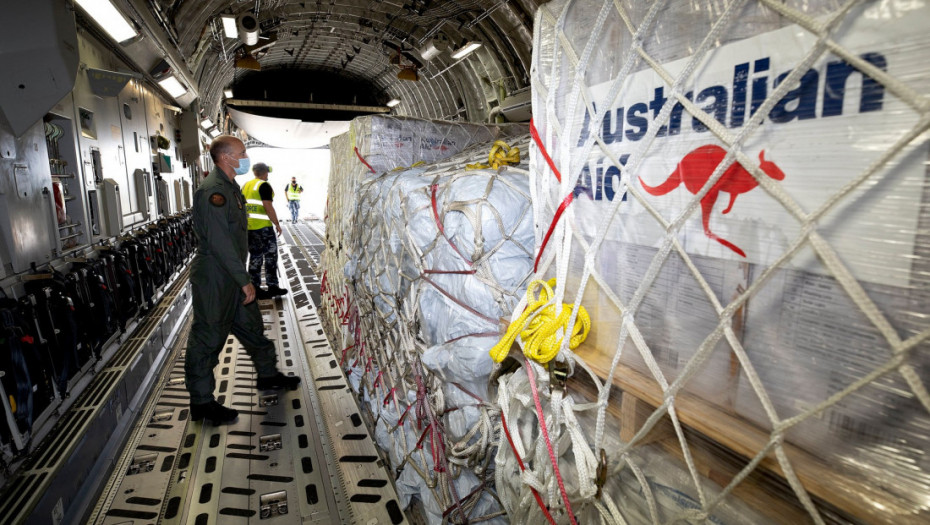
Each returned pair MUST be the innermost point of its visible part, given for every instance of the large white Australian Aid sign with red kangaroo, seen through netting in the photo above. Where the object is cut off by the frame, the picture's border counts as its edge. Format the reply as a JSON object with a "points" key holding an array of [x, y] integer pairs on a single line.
{"points": [[830, 126]]}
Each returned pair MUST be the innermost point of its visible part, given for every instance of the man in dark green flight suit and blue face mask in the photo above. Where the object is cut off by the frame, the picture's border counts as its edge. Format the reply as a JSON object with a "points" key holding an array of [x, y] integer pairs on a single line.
{"points": [[223, 294]]}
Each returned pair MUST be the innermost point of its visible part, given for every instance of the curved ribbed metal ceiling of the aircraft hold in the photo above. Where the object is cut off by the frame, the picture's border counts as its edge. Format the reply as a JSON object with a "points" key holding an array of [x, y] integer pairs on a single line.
{"points": [[349, 53]]}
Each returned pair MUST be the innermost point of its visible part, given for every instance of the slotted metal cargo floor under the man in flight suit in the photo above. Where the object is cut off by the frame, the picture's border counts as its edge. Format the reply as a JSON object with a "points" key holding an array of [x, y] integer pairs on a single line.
{"points": [[281, 461]]}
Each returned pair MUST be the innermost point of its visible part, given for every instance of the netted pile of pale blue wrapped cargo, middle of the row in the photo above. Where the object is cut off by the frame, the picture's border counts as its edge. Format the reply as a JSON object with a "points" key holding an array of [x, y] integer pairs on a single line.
{"points": [[437, 255]]}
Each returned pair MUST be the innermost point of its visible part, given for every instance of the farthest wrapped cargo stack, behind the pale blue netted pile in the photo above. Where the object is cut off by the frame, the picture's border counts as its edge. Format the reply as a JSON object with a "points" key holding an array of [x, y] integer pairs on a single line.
{"points": [[373, 145]]}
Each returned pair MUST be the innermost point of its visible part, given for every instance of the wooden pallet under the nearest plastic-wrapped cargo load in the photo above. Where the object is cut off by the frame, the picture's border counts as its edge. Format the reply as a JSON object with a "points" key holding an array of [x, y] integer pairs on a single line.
{"points": [[715, 430]]}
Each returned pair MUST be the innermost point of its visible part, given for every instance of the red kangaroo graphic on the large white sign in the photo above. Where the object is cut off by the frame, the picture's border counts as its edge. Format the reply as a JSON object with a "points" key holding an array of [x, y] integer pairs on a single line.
{"points": [[695, 170]]}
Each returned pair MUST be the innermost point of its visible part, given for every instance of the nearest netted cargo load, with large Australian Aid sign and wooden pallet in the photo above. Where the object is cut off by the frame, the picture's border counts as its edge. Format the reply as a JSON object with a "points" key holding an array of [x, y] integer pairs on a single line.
{"points": [[735, 192]]}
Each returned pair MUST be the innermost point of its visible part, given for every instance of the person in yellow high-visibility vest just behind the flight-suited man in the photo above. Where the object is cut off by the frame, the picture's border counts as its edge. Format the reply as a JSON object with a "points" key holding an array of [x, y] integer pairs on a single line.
{"points": [[263, 246]]}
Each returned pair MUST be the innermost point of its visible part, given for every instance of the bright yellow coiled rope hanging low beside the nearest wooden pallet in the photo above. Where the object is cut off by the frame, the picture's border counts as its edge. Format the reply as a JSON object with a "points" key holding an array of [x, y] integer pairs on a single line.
{"points": [[540, 337]]}
